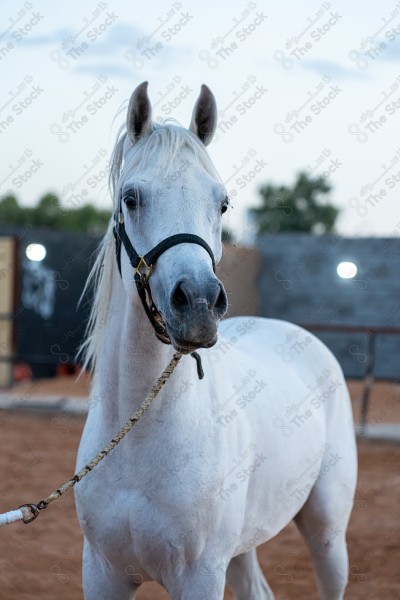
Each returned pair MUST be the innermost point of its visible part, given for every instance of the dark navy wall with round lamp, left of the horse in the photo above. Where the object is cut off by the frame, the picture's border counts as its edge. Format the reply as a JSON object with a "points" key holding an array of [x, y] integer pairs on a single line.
{"points": [[49, 325]]}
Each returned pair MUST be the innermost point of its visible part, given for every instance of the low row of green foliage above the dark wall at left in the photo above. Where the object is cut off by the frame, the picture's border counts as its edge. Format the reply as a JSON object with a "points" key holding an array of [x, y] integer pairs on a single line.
{"points": [[49, 213]]}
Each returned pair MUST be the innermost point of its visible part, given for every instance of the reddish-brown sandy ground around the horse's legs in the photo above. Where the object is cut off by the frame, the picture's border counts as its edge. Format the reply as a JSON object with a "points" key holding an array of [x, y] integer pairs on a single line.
{"points": [[42, 561]]}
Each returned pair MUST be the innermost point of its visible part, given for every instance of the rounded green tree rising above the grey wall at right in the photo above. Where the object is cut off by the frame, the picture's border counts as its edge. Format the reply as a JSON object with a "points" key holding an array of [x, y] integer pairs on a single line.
{"points": [[296, 208]]}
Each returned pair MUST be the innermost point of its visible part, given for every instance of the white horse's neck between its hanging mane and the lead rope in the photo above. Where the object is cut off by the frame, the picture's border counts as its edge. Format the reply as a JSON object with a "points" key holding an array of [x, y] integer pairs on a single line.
{"points": [[131, 358]]}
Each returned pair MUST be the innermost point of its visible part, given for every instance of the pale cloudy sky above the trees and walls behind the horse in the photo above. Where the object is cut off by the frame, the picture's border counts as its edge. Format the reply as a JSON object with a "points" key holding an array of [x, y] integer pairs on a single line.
{"points": [[299, 85]]}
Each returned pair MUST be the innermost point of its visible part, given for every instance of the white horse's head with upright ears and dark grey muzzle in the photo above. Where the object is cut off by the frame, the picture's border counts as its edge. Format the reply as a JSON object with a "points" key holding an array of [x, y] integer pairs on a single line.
{"points": [[168, 186]]}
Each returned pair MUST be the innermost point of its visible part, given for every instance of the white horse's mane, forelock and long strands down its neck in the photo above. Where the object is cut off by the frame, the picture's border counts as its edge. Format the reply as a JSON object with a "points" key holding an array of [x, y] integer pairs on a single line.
{"points": [[162, 147]]}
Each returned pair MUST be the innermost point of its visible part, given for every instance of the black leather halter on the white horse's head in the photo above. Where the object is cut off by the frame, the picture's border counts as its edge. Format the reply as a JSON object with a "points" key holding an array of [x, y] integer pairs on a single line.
{"points": [[143, 266]]}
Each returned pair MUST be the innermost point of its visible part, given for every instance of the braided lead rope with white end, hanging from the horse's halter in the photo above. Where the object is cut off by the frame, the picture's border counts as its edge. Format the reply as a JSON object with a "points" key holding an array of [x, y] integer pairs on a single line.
{"points": [[28, 512]]}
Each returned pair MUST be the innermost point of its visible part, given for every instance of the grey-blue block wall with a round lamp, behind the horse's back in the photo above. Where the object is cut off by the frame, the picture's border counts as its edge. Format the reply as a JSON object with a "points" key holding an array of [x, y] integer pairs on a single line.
{"points": [[299, 283]]}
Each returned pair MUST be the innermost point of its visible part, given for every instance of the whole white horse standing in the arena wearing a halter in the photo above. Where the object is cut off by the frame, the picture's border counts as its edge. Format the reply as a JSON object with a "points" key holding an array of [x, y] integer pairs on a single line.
{"points": [[218, 465]]}
